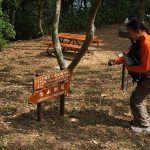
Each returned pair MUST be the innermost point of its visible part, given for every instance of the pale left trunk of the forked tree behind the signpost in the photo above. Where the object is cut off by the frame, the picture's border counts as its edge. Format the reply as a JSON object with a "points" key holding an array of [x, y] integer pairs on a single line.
{"points": [[57, 47]]}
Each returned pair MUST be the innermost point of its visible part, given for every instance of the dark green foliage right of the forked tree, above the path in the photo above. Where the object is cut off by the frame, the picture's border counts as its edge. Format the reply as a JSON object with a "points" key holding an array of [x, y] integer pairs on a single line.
{"points": [[115, 11]]}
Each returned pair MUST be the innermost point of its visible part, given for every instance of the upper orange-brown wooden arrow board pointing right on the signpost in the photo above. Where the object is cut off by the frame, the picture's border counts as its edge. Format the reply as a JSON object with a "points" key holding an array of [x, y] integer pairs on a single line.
{"points": [[50, 79]]}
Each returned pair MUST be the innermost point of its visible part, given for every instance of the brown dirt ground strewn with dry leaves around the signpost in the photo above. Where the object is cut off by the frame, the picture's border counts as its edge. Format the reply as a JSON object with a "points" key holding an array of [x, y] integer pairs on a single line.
{"points": [[97, 111]]}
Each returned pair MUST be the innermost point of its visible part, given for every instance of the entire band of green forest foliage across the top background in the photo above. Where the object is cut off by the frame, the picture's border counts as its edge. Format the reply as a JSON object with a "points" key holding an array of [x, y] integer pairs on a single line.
{"points": [[25, 15]]}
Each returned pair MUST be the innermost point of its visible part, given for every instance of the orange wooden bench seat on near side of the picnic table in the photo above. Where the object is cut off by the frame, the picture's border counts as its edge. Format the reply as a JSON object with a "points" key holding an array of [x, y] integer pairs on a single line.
{"points": [[64, 45]]}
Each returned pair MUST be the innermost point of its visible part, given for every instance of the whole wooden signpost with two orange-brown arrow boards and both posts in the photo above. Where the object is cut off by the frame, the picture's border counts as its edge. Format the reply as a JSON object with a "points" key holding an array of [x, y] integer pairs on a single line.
{"points": [[50, 86]]}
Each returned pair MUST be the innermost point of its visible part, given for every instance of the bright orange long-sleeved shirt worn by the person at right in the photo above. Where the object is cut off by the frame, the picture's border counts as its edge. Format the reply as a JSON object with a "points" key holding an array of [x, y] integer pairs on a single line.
{"points": [[144, 55]]}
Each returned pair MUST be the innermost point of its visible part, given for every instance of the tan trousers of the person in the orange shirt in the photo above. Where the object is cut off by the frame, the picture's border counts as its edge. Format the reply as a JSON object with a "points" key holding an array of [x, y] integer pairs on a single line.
{"points": [[138, 108]]}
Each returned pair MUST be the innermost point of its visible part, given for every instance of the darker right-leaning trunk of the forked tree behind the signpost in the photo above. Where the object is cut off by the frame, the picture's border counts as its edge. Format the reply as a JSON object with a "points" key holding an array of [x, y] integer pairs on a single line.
{"points": [[89, 35]]}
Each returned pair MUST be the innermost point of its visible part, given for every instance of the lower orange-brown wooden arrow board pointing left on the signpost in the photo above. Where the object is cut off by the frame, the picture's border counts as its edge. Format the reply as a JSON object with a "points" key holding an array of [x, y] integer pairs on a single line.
{"points": [[47, 93]]}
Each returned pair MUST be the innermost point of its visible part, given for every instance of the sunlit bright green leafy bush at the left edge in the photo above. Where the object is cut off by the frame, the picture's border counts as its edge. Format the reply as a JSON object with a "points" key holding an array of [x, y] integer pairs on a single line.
{"points": [[6, 29]]}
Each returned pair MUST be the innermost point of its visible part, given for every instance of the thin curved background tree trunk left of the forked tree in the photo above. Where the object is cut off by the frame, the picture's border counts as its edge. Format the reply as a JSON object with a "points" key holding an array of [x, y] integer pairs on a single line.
{"points": [[40, 16]]}
